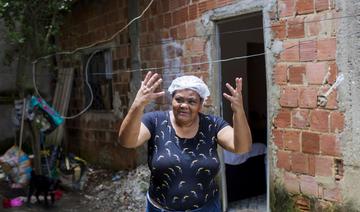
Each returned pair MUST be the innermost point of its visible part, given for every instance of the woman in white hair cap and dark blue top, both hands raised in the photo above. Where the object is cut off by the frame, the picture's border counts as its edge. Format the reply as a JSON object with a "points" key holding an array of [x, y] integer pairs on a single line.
{"points": [[182, 142]]}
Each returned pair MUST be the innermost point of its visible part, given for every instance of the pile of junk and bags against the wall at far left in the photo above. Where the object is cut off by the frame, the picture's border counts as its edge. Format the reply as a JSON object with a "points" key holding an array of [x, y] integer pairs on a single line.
{"points": [[42, 171]]}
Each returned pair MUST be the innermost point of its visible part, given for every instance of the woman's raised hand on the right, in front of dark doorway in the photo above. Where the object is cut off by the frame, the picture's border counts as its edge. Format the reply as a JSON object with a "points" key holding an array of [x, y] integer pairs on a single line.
{"points": [[236, 95]]}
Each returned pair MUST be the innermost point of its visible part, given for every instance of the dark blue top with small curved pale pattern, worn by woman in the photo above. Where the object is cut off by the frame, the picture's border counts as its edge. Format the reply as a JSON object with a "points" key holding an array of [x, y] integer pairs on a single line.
{"points": [[182, 170]]}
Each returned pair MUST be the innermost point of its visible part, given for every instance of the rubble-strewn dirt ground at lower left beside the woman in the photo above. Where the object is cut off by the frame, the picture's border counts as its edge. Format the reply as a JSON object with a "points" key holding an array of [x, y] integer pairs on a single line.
{"points": [[104, 191]]}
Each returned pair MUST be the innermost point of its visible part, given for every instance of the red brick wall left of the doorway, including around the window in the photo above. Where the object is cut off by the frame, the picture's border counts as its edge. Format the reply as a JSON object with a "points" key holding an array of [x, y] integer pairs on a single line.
{"points": [[168, 38]]}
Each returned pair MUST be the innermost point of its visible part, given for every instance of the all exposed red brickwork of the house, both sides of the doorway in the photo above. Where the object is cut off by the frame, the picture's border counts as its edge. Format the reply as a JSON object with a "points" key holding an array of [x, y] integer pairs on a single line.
{"points": [[304, 133]]}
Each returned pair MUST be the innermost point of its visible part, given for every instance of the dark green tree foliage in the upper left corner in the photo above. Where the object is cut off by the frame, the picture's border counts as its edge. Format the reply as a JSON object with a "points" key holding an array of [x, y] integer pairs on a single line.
{"points": [[33, 25]]}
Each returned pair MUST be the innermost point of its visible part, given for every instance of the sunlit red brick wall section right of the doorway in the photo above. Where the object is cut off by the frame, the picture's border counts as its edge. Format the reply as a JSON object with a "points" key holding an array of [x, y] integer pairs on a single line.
{"points": [[305, 135]]}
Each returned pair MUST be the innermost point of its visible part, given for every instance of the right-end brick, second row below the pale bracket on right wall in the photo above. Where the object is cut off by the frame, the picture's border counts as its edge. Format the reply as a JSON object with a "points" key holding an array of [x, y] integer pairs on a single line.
{"points": [[329, 145]]}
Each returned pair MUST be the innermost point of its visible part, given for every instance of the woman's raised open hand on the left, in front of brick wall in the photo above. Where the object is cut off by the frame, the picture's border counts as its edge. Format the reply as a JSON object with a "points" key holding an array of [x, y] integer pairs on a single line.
{"points": [[146, 92]]}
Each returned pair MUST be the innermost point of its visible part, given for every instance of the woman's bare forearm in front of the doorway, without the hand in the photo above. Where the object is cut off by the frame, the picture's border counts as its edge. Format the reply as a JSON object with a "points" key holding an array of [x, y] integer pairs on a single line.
{"points": [[242, 134]]}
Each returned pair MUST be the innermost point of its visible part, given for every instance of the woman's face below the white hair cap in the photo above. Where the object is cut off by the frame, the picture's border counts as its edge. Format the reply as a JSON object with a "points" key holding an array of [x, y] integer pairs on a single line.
{"points": [[186, 105]]}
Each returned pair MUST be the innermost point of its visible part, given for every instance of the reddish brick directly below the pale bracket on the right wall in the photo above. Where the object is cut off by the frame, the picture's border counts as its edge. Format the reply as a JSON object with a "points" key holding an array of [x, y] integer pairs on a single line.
{"points": [[319, 120]]}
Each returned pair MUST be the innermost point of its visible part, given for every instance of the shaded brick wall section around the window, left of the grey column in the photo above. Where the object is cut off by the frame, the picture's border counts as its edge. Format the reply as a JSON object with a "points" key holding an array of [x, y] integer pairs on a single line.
{"points": [[93, 135]]}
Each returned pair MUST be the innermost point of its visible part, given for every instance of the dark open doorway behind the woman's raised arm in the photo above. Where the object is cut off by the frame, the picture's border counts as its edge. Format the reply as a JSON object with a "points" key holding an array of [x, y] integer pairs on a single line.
{"points": [[245, 173]]}
